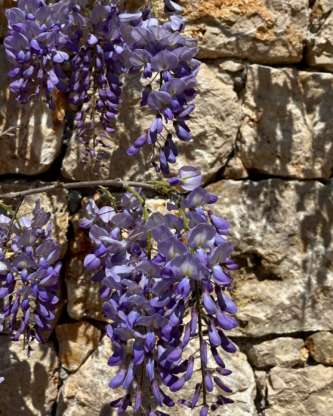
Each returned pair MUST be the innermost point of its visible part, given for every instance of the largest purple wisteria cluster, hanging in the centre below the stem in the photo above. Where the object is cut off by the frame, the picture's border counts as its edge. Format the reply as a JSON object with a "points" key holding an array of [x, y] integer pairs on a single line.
{"points": [[164, 281]]}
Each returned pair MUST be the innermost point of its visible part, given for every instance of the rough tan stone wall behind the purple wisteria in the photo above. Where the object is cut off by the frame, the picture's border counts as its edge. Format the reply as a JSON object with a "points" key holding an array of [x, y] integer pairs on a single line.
{"points": [[263, 135]]}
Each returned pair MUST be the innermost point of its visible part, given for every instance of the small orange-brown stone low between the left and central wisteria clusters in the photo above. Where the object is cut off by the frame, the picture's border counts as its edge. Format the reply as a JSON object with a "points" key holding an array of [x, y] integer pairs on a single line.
{"points": [[76, 342]]}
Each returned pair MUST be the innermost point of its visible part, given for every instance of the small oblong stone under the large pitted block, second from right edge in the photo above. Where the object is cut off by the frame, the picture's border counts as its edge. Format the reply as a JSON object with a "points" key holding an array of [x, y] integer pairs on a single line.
{"points": [[282, 352]]}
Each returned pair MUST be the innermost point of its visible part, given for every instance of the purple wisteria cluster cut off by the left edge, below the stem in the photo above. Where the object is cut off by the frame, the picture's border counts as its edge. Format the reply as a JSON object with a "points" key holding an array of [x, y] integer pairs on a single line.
{"points": [[29, 275]]}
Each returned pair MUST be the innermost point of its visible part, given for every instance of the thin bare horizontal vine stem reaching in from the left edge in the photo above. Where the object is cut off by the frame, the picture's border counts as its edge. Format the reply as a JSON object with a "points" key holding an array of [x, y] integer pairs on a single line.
{"points": [[113, 183]]}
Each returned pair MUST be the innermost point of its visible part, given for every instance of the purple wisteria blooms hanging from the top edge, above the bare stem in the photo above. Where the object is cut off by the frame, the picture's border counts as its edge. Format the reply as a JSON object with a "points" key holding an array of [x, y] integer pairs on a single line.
{"points": [[86, 55]]}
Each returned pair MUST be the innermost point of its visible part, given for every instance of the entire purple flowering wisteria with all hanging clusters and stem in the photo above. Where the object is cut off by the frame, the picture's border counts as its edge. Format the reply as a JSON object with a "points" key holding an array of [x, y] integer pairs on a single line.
{"points": [[164, 278]]}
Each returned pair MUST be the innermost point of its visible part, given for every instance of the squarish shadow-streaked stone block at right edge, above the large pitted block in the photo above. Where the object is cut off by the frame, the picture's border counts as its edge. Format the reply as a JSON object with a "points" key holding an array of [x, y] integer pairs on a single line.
{"points": [[287, 131]]}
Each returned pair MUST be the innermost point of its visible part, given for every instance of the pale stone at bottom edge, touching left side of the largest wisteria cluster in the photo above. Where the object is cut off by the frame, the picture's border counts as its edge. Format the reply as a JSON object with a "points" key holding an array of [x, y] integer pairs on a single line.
{"points": [[86, 393]]}
